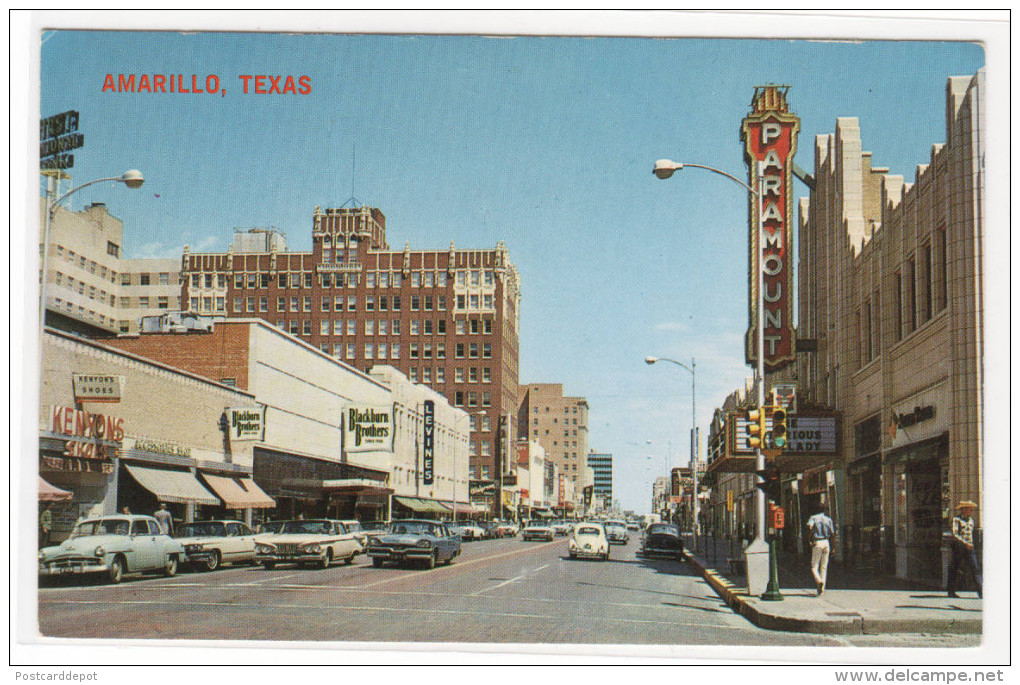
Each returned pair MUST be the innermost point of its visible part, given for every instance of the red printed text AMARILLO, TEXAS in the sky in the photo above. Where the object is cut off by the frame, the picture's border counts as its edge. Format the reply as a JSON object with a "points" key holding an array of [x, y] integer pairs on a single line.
{"points": [[193, 84]]}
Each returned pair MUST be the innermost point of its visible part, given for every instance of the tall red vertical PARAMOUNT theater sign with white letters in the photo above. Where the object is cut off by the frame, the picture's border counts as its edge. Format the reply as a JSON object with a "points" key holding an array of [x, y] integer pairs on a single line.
{"points": [[770, 135]]}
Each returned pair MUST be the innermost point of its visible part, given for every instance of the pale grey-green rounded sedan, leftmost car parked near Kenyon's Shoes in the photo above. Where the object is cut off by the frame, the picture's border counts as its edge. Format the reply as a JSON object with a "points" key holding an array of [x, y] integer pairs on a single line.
{"points": [[114, 546]]}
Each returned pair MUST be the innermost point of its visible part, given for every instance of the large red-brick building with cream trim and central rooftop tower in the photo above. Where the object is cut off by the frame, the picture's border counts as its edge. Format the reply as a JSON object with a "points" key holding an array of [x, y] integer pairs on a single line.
{"points": [[446, 319]]}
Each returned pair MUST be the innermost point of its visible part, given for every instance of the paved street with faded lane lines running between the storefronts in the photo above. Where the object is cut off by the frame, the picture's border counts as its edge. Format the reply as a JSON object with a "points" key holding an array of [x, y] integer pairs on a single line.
{"points": [[496, 592]]}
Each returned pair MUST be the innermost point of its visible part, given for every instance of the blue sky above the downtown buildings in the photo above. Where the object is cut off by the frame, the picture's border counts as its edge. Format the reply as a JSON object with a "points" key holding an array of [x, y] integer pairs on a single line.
{"points": [[546, 144]]}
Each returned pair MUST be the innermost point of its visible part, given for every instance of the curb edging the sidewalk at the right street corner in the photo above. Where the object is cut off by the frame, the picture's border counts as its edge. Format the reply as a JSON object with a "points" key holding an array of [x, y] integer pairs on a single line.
{"points": [[847, 625]]}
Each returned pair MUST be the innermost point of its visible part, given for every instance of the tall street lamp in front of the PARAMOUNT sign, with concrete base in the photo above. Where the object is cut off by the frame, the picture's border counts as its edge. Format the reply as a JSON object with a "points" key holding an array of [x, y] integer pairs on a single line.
{"points": [[665, 169]]}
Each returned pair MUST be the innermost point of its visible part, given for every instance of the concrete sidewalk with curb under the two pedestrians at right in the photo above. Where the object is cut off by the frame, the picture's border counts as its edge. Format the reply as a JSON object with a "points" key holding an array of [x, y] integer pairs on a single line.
{"points": [[864, 606]]}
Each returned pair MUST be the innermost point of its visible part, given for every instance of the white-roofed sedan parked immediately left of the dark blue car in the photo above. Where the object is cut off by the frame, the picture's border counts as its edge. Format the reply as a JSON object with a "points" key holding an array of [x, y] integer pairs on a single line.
{"points": [[314, 543]]}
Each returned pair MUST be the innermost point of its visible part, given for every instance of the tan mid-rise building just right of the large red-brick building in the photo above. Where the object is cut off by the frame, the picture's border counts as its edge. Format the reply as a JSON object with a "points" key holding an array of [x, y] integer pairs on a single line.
{"points": [[558, 424]]}
